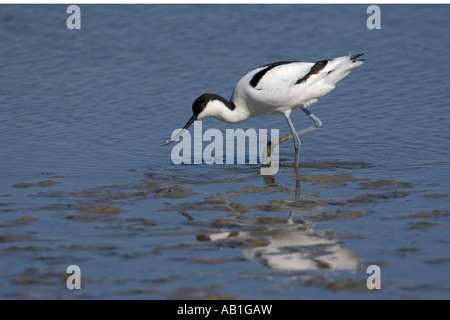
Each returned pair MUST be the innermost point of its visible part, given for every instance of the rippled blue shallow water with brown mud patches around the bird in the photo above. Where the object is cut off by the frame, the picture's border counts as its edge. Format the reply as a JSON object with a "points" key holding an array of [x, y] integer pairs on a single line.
{"points": [[84, 180]]}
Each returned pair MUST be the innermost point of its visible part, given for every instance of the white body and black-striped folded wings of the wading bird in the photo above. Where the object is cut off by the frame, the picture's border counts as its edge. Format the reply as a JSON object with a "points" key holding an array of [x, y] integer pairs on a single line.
{"points": [[282, 86]]}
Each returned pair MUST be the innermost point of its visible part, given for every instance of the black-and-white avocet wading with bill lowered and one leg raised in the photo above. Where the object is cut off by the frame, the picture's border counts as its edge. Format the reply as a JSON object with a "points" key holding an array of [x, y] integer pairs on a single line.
{"points": [[276, 88]]}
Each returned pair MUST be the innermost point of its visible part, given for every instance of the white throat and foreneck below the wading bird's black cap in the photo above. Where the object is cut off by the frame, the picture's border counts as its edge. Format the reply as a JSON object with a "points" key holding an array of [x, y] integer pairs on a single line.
{"points": [[224, 110]]}
